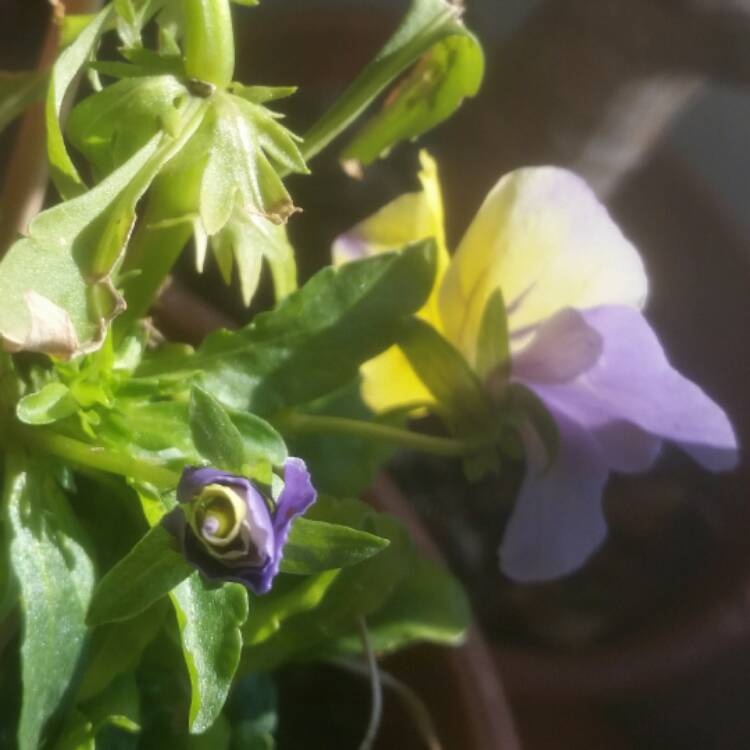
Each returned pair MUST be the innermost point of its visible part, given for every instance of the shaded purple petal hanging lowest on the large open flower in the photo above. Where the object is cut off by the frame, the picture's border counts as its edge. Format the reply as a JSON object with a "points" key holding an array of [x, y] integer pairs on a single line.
{"points": [[557, 521]]}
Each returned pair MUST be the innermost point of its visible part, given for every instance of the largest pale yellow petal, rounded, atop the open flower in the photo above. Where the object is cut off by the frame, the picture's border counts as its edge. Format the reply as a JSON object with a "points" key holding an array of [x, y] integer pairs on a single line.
{"points": [[544, 239]]}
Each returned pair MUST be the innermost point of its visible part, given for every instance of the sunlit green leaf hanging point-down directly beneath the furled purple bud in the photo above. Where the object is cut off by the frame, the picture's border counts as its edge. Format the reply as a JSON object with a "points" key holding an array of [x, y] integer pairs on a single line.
{"points": [[209, 619]]}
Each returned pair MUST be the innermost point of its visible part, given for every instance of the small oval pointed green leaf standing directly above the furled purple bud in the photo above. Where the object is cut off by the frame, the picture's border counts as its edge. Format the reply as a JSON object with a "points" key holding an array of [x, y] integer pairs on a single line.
{"points": [[214, 433]]}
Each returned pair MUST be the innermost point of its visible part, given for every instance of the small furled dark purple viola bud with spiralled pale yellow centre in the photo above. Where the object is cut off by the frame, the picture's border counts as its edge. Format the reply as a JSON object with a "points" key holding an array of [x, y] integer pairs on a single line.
{"points": [[230, 531]]}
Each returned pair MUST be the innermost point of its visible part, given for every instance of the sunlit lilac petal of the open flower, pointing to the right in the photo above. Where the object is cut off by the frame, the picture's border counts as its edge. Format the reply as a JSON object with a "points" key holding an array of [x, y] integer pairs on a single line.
{"points": [[630, 396]]}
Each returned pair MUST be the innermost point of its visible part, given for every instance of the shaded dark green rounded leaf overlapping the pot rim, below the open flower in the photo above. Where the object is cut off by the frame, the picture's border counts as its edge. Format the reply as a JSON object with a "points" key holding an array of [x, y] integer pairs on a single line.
{"points": [[428, 605]]}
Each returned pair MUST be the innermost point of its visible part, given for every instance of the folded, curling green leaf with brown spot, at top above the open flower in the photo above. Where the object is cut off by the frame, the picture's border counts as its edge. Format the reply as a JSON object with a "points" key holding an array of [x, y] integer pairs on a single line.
{"points": [[457, 66]]}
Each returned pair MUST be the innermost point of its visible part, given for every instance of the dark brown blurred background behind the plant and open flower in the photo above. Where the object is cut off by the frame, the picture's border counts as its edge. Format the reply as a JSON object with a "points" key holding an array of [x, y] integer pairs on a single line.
{"points": [[649, 645]]}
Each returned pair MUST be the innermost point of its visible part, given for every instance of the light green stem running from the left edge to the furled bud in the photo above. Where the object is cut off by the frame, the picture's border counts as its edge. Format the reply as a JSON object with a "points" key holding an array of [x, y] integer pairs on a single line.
{"points": [[94, 457]]}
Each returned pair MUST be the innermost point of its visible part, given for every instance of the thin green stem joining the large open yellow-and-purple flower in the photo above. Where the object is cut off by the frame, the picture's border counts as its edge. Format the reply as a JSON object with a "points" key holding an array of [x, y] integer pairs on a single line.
{"points": [[312, 423]]}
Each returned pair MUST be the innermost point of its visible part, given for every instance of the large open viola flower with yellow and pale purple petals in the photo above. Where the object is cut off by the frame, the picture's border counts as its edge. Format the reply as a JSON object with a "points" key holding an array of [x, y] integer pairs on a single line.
{"points": [[574, 288]]}
